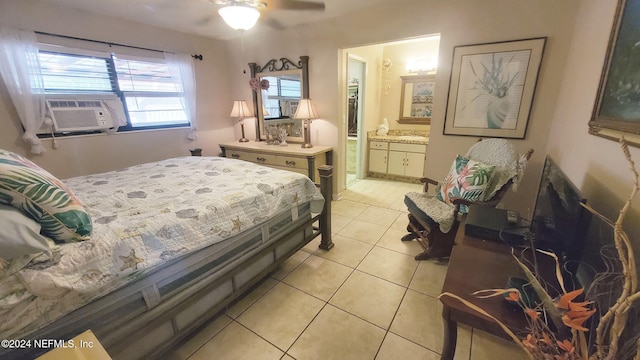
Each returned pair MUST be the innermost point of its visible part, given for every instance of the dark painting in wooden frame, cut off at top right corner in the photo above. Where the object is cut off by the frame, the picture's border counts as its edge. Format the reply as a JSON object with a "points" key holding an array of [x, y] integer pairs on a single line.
{"points": [[617, 108]]}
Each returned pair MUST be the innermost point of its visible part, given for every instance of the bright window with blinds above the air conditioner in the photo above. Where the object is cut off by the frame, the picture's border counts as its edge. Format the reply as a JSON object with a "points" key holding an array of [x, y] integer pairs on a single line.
{"points": [[152, 98]]}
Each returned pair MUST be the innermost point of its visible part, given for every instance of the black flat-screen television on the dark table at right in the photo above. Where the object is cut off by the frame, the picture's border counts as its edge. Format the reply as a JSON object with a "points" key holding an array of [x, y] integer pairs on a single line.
{"points": [[560, 223]]}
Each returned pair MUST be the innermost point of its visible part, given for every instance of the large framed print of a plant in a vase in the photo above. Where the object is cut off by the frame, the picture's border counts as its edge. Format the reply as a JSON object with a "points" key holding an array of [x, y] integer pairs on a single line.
{"points": [[492, 87]]}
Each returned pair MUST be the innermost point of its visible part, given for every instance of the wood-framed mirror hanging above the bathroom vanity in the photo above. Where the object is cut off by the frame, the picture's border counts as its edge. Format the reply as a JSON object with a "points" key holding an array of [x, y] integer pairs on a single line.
{"points": [[416, 99]]}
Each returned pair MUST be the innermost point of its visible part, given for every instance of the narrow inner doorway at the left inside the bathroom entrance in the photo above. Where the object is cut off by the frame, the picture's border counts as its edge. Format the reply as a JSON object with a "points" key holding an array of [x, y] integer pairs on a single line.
{"points": [[356, 75]]}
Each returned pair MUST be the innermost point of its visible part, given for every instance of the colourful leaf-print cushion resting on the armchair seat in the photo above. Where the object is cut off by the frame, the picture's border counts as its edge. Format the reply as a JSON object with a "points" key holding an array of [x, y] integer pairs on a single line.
{"points": [[467, 179]]}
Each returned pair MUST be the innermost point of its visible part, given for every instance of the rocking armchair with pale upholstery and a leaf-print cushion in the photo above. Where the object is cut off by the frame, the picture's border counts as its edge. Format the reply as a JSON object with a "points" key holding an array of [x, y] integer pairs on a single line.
{"points": [[482, 176]]}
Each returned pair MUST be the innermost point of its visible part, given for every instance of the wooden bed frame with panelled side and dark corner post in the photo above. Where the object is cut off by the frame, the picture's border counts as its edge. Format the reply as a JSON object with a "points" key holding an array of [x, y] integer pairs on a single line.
{"points": [[151, 315]]}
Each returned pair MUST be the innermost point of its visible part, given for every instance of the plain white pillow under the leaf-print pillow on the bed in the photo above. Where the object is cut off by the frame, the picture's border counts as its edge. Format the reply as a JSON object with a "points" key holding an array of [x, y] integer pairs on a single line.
{"points": [[20, 234]]}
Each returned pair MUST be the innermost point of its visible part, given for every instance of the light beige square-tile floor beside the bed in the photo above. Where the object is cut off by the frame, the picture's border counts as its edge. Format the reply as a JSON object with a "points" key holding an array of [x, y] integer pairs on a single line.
{"points": [[367, 298]]}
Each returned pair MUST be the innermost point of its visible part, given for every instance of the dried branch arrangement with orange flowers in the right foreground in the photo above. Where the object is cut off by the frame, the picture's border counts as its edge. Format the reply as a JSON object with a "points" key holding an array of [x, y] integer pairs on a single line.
{"points": [[617, 335]]}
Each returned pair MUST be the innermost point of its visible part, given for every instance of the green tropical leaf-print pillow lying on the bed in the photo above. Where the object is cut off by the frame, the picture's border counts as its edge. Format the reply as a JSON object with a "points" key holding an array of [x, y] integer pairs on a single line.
{"points": [[31, 189]]}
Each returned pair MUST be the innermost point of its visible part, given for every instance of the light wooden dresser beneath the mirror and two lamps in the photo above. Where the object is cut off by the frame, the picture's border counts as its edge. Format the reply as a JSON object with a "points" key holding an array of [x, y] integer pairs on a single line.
{"points": [[290, 157]]}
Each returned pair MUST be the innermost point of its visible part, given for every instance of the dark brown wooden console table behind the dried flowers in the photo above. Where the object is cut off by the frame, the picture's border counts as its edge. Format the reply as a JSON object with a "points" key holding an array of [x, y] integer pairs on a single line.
{"points": [[478, 264]]}
